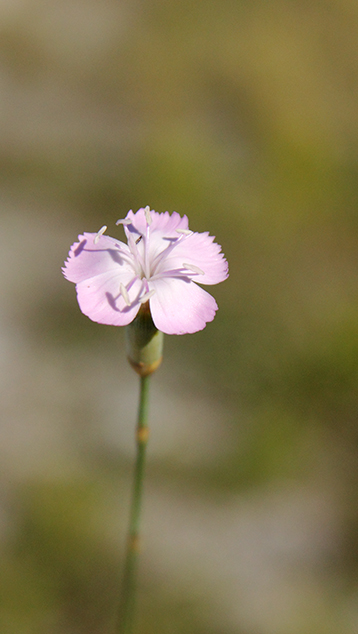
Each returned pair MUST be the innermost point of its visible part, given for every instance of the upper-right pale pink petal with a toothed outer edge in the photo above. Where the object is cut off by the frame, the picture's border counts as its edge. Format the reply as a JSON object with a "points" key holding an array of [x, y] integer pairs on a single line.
{"points": [[200, 251]]}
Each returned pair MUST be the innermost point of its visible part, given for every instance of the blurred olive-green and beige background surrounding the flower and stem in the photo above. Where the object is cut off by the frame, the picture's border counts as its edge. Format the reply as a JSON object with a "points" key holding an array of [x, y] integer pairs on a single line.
{"points": [[243, 114]]}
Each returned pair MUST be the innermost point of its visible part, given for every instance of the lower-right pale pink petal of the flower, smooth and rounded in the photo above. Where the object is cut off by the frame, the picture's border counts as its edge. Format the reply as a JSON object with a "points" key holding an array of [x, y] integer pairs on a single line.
{"points": [[179, 306]]}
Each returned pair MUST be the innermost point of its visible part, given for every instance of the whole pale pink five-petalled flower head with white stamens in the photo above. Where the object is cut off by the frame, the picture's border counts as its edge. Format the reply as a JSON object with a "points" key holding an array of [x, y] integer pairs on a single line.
{"points": [[161, 264]]}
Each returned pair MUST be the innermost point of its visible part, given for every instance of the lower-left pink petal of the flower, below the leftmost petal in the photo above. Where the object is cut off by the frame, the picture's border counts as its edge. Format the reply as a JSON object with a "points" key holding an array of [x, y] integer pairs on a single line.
{"points": [[103, 299]]}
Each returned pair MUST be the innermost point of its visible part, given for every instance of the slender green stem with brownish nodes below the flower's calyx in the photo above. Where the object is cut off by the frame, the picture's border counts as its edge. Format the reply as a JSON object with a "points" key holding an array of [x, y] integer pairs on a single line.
{"points": [[125, 623]]}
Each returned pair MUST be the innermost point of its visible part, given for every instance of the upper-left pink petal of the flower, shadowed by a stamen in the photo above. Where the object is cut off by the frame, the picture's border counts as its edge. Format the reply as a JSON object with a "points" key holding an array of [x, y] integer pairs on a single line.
{"points": [[87, 259]]}
